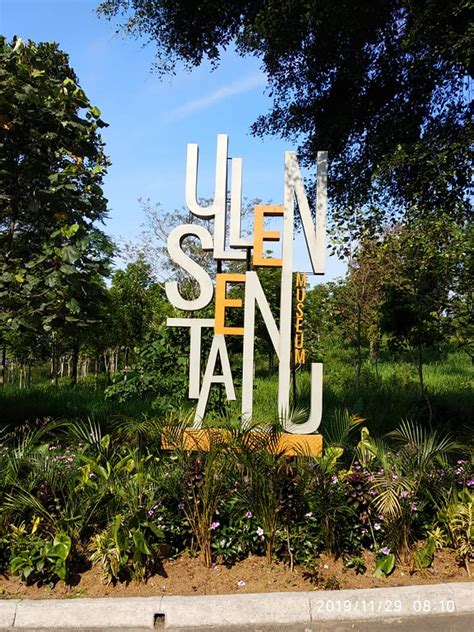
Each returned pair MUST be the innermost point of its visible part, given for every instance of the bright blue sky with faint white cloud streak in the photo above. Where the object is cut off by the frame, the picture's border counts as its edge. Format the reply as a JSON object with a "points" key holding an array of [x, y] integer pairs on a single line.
{"points": [[152, 120]]}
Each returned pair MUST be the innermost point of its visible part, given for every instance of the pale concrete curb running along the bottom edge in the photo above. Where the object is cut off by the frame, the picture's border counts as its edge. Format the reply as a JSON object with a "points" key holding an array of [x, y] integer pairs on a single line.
{"points": [[240, 610]]}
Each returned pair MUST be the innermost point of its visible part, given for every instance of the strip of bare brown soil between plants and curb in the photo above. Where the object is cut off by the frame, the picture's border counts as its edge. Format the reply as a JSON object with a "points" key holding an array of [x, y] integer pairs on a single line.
{"points": [[187, 576]]}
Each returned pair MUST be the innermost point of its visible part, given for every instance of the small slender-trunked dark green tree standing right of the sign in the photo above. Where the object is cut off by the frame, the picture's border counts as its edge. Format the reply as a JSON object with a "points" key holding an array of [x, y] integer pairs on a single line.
{"points": [[418, 290]]}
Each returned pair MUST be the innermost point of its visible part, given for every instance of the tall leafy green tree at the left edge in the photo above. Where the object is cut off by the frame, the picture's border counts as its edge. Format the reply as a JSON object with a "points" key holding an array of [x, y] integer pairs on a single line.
{"points": [[52, 255]]}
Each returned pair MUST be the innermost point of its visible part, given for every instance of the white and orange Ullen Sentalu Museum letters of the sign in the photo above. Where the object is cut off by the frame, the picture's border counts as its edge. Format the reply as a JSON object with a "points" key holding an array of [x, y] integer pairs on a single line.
{"points": [[287, 342]]}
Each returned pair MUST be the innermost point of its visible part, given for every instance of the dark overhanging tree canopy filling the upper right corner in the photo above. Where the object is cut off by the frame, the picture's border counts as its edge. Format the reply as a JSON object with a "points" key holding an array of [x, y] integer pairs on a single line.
{"points": [[381, 85]]}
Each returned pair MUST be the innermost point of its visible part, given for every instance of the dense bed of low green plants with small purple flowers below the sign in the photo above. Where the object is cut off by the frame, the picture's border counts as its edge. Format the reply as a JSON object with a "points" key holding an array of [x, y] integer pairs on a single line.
{"points": [[72, 495]]}
